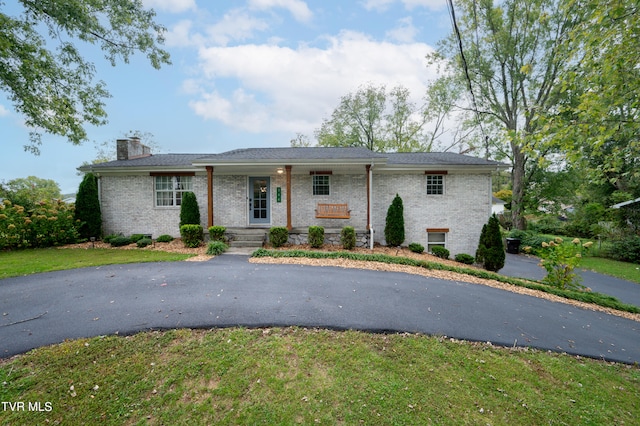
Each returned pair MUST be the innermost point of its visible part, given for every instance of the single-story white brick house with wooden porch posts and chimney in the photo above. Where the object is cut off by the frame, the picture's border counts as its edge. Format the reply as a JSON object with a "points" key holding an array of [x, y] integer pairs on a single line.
{"points": [[447, 197]]}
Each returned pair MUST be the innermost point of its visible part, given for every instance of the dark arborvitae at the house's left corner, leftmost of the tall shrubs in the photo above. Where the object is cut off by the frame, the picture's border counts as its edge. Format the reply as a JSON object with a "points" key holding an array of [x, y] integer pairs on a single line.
{"points": [[88, 207]]}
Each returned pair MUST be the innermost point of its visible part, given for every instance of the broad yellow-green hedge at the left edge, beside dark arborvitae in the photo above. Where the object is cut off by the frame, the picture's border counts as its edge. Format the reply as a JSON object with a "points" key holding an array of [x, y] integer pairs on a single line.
{"points": [[51, 223]]}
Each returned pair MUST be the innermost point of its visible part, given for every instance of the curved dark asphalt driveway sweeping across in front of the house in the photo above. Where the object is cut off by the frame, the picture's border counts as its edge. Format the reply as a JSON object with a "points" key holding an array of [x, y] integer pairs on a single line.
{"points": [[229, 291]]}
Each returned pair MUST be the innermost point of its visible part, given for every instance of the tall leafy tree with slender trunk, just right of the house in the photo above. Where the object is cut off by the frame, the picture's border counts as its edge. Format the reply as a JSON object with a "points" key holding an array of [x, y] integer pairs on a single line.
{"points": [[510, 55]]}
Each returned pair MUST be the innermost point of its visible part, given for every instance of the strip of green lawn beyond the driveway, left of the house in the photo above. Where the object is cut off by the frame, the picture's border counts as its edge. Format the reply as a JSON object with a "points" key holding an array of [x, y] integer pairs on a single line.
{"points": [[31, 261]]}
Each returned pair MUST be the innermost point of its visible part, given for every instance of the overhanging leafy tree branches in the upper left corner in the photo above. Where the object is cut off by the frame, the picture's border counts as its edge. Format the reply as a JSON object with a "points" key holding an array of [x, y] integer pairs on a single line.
{"points": [[44, 73]]}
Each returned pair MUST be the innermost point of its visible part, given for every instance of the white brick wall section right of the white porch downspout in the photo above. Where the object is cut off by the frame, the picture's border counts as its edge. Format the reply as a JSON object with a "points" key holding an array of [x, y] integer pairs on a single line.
{"points": [[463, 208]]}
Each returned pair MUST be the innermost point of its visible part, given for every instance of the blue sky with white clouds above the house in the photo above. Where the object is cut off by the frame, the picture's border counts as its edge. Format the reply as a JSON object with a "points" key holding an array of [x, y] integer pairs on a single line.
{"points": [[249, 73]]}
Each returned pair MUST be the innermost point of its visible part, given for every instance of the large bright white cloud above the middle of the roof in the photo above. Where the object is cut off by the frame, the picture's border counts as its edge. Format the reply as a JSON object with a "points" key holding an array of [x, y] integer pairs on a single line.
{"points": [[285, 89]]}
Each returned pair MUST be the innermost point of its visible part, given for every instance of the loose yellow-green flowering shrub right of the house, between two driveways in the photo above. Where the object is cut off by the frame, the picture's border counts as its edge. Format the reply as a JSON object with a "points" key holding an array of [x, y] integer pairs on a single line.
{"points": [[560, 260]]}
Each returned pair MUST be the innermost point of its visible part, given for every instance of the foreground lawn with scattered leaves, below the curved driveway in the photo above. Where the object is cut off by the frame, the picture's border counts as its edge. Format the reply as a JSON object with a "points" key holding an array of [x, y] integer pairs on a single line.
{"points": [[309, 376]]}
